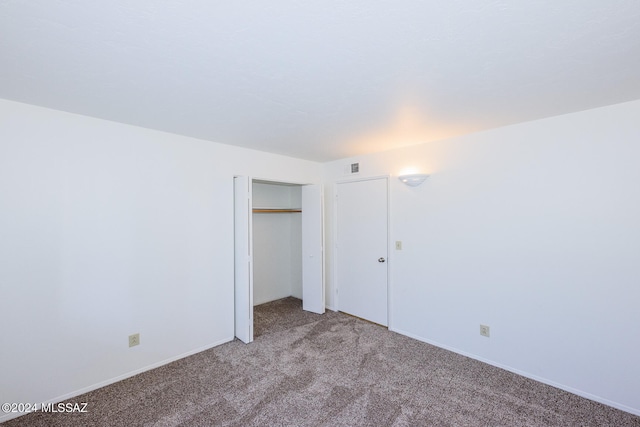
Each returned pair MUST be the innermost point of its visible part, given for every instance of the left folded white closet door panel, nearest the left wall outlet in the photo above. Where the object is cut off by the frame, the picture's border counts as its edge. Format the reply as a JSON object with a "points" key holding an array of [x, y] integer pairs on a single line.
{"points": [[243, 259]]}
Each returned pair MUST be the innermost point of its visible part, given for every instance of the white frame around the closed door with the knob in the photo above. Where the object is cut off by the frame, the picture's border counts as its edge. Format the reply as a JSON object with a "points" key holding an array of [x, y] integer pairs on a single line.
{"points": [[334, 236]]}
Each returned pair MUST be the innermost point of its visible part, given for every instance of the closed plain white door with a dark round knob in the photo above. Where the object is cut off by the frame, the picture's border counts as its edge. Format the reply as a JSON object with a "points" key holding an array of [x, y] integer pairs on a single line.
{"points": [[362, 246]]}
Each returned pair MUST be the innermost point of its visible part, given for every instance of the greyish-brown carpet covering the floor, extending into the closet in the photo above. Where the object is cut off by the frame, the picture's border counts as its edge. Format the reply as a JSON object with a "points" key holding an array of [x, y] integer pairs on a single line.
{"points": [[330, 370]]}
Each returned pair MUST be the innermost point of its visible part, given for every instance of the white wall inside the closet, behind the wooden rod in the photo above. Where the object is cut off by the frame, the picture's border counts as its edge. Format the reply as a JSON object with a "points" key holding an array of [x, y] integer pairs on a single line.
{"points": [[277, 244]]}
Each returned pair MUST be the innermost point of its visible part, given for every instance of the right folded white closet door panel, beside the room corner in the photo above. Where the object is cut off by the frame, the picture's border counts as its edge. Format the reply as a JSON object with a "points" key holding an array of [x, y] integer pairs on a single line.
{"points": [[312, 250]]}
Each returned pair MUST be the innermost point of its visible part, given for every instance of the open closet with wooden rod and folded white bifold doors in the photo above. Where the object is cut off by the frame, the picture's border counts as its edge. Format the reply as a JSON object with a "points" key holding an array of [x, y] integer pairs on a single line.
{"points": [[278, 247]]}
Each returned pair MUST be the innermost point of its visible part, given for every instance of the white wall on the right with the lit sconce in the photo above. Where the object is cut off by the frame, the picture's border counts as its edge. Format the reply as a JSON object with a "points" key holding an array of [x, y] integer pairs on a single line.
{"points": [[532, 229]]}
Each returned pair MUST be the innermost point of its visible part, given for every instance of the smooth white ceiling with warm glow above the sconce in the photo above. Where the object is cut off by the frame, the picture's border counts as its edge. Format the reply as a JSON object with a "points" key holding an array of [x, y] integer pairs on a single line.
{"points": [[320, 80]]}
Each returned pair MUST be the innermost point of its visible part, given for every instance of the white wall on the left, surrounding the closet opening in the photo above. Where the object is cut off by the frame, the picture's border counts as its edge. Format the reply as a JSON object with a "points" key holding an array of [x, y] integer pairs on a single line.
{"points": [[107, 230]]}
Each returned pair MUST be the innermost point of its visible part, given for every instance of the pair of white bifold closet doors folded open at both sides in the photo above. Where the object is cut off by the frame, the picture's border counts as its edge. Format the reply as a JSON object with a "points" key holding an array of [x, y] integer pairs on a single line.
{"points": [[313, 296]]}
